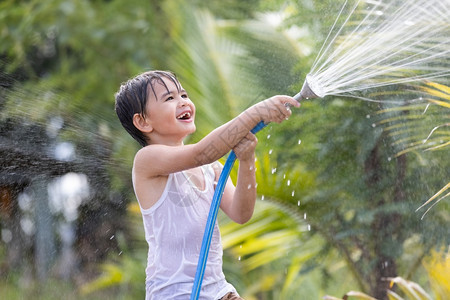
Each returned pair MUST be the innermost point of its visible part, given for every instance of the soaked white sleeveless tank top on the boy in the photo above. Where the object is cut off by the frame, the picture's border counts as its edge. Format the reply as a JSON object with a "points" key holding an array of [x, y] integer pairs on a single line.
{"points": [[174, 228]]}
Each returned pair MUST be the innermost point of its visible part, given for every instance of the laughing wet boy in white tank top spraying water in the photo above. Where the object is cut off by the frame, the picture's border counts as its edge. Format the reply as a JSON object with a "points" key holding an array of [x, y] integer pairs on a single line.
{"points": [[174, 183]]}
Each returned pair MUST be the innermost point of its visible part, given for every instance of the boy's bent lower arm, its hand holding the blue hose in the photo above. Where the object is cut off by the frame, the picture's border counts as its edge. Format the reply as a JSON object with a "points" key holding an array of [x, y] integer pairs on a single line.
{"points": [[239, 202]]}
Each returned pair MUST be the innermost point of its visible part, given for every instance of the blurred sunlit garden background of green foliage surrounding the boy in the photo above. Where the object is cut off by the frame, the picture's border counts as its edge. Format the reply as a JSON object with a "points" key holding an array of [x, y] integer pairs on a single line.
{"points": [[338, 184]]}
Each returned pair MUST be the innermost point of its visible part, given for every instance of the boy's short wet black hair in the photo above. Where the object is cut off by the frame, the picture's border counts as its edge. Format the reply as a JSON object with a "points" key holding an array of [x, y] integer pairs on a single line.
{"points": [[132, 99]]}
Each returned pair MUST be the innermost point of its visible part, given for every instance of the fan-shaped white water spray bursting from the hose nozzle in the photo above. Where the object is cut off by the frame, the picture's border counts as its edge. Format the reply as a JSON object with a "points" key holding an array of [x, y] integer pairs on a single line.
{"points": [[383, 43]]}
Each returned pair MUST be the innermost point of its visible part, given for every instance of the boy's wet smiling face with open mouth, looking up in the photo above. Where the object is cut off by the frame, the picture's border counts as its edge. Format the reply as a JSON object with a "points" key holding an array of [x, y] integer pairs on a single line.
{"points": [[170, 114]]}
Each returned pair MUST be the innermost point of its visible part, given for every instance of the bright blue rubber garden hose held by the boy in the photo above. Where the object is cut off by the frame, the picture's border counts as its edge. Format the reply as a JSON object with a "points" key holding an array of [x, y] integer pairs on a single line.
{"points": [[209, 228]]}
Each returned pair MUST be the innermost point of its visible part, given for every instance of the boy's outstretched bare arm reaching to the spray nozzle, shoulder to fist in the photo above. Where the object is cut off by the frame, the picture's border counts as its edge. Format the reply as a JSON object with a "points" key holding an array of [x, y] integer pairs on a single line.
{"points": [[169, 159]]}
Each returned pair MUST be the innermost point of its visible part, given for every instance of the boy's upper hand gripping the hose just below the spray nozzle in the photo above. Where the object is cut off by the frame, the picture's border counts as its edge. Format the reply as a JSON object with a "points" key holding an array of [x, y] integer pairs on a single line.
{"points": [[275, 109]]}
